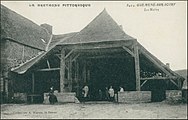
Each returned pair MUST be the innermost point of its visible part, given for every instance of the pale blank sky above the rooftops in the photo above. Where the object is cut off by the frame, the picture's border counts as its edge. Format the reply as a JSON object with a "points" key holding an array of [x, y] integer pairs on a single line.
{"points": [[161, 27]]}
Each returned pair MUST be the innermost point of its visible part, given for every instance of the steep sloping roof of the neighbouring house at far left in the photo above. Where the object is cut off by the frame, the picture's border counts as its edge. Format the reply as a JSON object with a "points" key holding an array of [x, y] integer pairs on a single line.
{"points": [[21, 30]]}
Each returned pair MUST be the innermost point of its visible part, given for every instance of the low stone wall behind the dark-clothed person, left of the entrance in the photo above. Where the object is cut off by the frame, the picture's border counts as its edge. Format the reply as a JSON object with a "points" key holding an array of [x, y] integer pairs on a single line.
{"points": [[69, 97]]}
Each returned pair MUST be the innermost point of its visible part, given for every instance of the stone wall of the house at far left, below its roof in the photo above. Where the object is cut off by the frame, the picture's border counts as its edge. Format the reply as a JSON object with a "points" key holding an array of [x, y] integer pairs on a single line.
{"points": [[13, 54]]}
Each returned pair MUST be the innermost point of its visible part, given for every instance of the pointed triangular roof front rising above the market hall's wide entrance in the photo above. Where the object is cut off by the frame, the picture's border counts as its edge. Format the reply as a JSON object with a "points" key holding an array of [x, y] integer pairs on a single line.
{"points": [[102, 28]]}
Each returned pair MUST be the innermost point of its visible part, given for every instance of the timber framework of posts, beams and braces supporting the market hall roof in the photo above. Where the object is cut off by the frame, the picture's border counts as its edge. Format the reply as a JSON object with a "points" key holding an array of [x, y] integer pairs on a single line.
{"points": [[133, 48]]}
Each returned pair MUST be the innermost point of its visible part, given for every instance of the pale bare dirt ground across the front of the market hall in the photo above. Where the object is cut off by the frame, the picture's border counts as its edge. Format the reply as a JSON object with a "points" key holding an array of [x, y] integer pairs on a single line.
{"points": [[94, 110]]}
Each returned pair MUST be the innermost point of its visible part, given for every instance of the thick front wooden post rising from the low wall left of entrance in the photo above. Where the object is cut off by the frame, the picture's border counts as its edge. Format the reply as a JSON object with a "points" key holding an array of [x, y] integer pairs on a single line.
{"points": [[62, 70]]}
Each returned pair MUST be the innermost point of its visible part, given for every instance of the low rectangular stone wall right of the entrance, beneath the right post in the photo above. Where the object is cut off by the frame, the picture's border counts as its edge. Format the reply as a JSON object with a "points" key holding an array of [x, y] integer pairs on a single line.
{"points": [[134, 96]]}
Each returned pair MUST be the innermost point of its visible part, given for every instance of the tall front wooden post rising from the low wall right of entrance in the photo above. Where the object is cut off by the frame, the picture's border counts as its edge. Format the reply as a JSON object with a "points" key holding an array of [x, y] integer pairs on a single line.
{"points": [[137, 67]]}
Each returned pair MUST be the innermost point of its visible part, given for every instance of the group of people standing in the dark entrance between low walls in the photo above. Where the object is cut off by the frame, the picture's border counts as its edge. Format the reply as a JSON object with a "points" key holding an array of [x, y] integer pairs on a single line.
{"points": [[103, 94]]}
